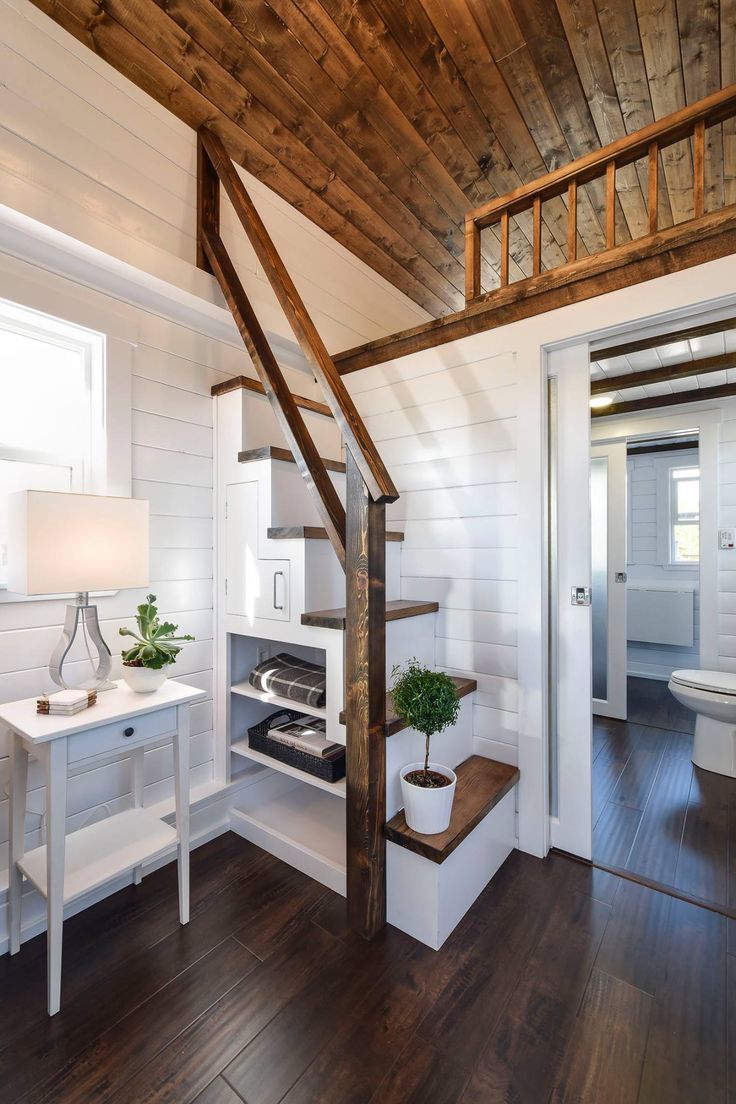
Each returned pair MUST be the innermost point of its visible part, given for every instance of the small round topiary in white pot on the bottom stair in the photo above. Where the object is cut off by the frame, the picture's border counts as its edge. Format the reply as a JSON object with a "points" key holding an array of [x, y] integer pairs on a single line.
{"points": [[428, 702]]}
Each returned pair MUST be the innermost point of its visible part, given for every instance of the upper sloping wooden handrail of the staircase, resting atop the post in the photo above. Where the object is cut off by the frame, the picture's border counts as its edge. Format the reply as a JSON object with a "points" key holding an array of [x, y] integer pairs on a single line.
{"points": [[372, 469]]}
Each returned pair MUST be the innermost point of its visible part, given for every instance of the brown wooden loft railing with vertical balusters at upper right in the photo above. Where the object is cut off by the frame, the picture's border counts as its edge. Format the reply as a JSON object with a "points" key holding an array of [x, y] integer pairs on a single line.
{"points": [[691, 123]]}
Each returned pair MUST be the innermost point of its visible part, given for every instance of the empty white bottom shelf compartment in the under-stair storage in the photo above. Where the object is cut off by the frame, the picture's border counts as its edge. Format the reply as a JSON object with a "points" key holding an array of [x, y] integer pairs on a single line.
{"points": [[300, 825]]}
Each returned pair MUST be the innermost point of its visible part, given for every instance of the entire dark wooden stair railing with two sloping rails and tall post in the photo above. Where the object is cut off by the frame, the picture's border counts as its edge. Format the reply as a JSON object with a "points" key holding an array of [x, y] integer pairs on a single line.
{"points": [[358, 536]]}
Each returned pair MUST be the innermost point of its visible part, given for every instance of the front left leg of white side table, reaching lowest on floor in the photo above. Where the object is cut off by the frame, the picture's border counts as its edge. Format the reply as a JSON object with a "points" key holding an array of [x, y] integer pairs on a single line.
{"points": [[56, 851]]}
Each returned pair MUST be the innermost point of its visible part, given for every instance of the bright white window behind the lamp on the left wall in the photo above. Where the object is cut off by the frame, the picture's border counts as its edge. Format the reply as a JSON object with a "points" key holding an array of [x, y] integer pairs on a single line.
{"points": [[52, 416]]}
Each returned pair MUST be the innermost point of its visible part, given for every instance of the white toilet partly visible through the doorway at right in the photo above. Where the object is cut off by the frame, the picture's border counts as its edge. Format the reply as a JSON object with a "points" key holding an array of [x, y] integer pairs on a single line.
{"points": [[712, 696]]}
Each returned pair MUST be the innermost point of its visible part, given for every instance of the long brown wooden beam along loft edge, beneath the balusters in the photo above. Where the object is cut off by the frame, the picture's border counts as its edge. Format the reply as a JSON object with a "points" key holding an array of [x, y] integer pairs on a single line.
{"points": [[678, 248]]}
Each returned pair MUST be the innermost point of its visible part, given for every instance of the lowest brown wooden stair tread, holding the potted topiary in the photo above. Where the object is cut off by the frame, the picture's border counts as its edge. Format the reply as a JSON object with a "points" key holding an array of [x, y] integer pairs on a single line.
{"points": [[482, 784]]}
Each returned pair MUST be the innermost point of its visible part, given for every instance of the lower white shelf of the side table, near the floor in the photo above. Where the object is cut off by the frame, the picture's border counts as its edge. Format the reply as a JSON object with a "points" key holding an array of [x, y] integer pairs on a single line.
{"points": [[103, 852]]}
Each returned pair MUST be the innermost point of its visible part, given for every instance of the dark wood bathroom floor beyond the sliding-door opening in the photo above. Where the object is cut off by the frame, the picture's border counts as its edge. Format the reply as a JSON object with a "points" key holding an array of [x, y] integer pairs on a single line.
{"points": [[654, 813]]}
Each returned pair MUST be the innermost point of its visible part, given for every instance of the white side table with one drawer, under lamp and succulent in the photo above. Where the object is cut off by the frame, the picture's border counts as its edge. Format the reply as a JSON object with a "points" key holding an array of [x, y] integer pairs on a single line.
{"points": [[68, 867]]}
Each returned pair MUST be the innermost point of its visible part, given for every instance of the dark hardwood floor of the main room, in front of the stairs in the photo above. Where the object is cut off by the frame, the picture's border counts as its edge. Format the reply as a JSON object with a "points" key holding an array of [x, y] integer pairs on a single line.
{"points": [[563, 984]]}
